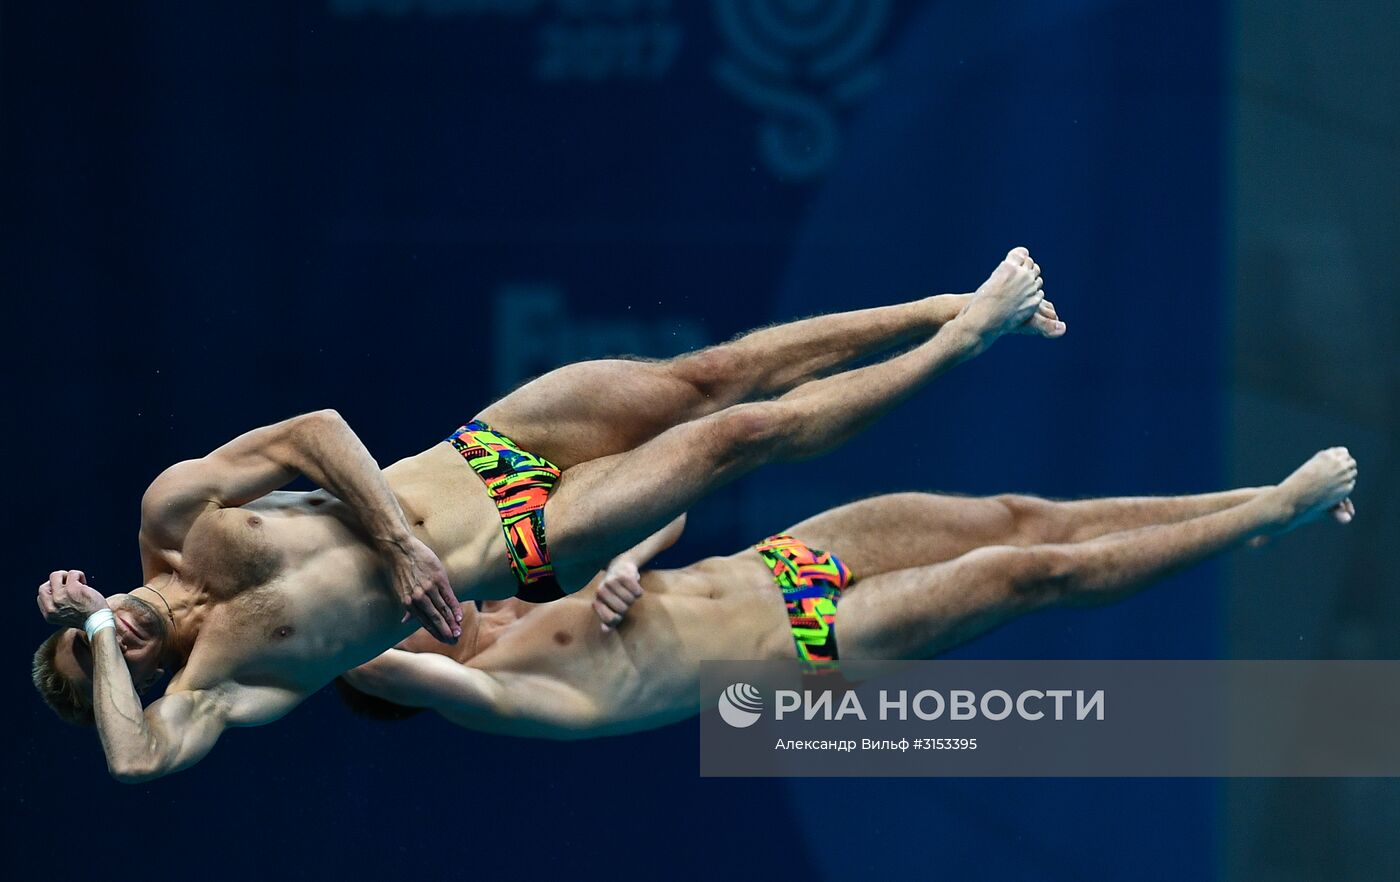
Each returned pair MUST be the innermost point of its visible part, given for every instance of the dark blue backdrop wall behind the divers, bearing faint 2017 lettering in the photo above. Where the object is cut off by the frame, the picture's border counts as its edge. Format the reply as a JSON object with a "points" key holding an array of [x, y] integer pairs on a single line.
{"points": [[220, 215]]}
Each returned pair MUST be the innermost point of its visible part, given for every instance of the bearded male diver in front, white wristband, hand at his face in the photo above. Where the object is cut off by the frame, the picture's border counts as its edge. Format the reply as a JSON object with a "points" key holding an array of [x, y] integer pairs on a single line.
{"points": [[257, 598]]}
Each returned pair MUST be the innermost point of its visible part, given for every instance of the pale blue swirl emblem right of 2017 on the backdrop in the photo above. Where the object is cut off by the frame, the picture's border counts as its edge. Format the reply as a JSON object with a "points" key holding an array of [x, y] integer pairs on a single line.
{"points": [[799, 64]]}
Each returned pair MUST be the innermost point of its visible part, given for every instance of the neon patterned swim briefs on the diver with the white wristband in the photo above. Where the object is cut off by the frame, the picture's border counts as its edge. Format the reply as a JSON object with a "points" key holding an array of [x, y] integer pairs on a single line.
{"points": [[520, 485]]}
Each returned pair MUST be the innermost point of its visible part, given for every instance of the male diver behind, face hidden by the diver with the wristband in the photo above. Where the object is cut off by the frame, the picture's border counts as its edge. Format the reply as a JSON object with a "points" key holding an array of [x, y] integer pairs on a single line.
{"points": [[891, 577]]}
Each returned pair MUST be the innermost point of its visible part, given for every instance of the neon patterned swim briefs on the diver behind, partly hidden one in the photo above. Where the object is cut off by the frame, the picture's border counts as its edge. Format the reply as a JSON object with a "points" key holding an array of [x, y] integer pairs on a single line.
{"points": [[811, 583]]}
